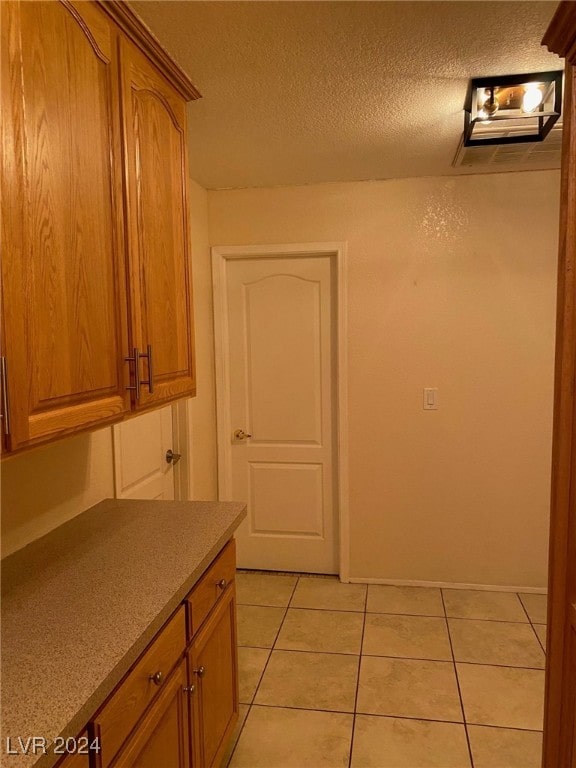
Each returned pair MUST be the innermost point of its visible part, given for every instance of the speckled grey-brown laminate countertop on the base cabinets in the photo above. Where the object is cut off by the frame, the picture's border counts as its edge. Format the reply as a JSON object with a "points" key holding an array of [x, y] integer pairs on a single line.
{"points": [[80, 604]]}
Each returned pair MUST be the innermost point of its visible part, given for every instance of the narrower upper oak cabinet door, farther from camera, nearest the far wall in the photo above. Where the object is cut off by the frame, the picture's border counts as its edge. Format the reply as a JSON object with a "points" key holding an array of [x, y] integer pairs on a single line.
{"points": [[154, 125]]}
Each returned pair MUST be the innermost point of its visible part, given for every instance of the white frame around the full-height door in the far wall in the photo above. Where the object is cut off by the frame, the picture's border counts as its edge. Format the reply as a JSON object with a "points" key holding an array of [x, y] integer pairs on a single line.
{"points": [[337, 252]]}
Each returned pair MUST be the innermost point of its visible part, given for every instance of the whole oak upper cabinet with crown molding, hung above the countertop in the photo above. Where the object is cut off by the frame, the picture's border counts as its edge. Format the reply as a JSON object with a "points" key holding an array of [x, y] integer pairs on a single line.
{"points": [[95, 238]]}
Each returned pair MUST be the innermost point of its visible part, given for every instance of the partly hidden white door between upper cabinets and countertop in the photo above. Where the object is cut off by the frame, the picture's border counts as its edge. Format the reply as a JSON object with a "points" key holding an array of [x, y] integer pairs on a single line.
{"points": [[140, 467]]}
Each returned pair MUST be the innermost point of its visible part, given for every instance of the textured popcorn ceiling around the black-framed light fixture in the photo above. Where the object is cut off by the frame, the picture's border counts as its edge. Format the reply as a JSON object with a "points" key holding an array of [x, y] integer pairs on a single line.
{"points": [[303, 92]]}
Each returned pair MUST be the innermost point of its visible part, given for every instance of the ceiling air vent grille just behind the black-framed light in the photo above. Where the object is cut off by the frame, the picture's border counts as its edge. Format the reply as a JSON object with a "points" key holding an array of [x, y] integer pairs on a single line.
{"points": [[533, 155]]}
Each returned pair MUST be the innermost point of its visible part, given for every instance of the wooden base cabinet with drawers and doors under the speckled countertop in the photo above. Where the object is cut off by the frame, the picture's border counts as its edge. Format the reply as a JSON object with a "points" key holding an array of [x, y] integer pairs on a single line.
{"points": [[178, 704]]}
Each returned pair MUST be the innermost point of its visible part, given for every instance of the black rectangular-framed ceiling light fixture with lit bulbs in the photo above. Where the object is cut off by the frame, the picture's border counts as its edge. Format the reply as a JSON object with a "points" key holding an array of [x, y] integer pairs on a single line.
{"points": [[512, 108]]}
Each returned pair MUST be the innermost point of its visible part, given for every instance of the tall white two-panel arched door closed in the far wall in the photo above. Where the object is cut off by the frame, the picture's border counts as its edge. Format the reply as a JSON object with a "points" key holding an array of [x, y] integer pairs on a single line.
{"points": [[281, 333]]}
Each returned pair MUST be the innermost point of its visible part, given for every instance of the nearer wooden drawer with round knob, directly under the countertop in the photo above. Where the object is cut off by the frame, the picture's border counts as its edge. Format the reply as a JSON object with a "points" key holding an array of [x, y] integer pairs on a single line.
{"points": [[127, 704]]}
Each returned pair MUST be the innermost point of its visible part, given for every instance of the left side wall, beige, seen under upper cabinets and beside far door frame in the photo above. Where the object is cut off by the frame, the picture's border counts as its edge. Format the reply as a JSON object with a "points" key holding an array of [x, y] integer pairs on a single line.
{"points": [[48, 486]]}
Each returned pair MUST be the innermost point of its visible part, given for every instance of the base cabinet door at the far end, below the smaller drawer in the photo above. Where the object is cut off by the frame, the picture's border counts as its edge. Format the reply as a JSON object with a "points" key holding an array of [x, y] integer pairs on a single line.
{"points": [[213, 670]]}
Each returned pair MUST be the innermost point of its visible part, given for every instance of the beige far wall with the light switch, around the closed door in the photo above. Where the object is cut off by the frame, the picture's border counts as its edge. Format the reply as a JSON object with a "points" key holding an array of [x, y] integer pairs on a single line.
{"points": [[451, 284]]}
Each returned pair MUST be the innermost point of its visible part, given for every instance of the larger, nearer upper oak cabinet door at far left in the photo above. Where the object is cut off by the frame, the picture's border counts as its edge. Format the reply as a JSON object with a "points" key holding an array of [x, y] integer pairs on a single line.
{"points": [[63, 268]]}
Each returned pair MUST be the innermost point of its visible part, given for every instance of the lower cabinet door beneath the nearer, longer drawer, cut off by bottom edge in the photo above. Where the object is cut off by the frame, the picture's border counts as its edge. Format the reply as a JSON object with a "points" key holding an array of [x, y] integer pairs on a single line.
{"points": [[162, 738]]}
